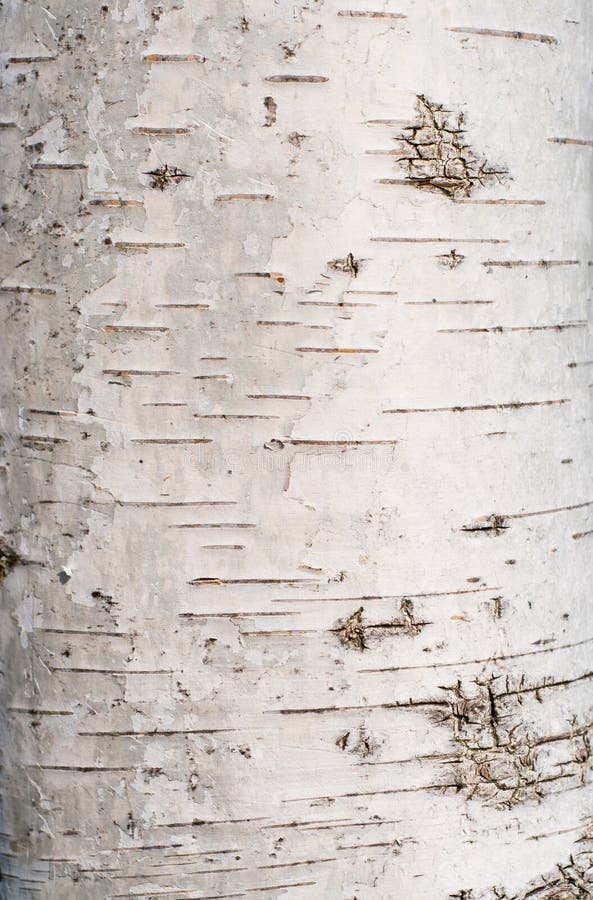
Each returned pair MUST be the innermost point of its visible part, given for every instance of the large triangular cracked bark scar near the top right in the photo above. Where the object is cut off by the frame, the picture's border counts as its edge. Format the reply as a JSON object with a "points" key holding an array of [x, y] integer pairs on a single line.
{"points": [[436, 157]]}
